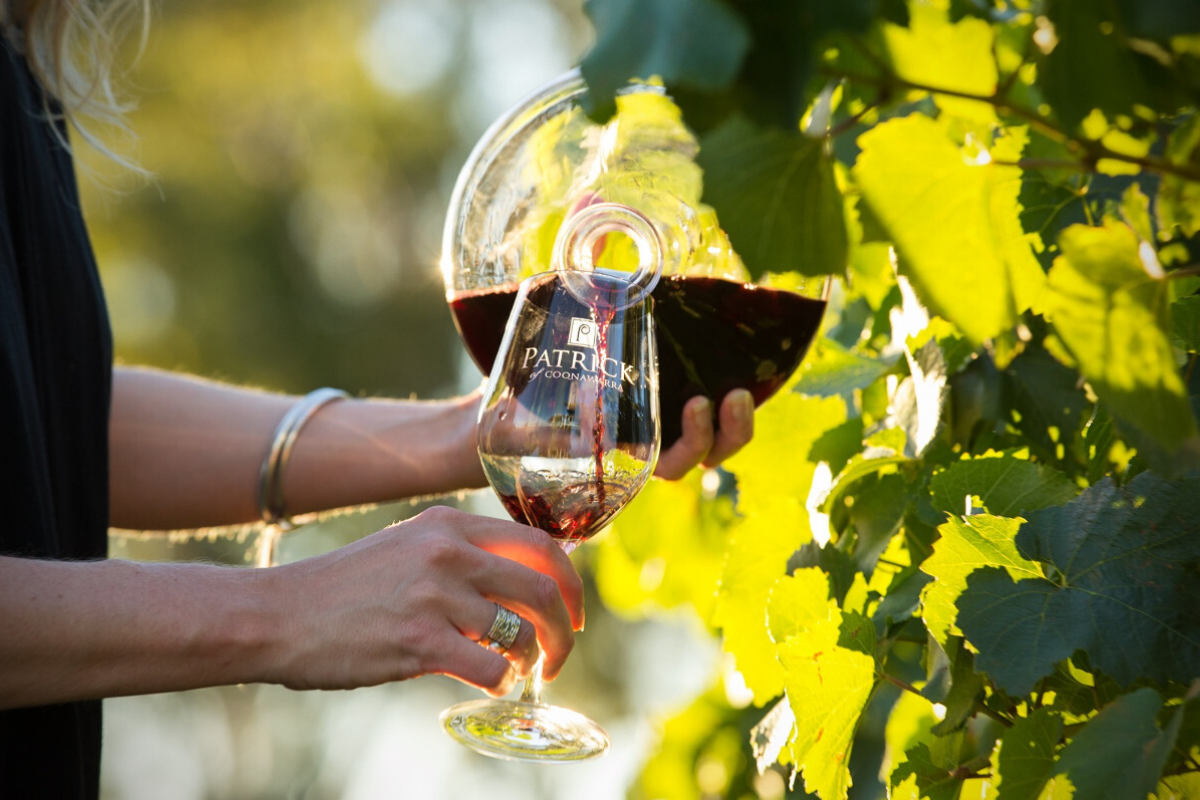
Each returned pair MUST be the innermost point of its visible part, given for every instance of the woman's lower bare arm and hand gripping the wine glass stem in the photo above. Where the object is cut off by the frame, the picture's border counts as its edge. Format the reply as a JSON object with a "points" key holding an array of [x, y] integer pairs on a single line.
{"points": [[411, 600]]}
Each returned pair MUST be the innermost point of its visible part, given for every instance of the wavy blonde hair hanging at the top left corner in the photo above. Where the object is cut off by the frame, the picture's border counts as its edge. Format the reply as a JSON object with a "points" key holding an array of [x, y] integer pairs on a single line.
{"points": [[71, 47]]}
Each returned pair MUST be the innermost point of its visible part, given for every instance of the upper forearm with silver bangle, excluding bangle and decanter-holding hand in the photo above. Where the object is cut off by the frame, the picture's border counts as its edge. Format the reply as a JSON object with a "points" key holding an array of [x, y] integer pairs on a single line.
{"points": [[187, 453]]}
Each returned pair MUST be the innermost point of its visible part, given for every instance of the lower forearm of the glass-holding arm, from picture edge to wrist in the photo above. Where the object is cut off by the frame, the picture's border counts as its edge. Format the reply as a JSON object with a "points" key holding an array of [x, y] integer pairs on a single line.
{"points": [[105, 629]]}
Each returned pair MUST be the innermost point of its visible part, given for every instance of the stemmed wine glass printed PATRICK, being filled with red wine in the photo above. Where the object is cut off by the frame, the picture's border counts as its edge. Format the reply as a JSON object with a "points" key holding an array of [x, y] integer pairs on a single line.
{"points": [[568, 435]]}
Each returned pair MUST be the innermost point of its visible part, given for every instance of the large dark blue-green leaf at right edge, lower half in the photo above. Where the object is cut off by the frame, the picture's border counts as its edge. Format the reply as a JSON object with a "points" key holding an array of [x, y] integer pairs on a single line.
{"points": [[1125, 592]]}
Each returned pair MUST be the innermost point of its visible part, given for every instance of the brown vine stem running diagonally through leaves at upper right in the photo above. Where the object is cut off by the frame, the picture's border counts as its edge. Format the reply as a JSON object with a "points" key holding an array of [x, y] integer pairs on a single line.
{"points": [[1093, 151]]}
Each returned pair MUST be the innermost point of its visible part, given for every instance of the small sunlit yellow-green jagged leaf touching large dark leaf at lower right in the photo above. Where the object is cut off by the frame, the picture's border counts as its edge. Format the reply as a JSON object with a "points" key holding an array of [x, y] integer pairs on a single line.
{"points": [[967, 545]]}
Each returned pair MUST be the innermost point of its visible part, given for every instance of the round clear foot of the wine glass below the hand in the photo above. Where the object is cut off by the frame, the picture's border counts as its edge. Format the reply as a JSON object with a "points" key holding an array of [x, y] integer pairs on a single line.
{"points": [[525, 732]]}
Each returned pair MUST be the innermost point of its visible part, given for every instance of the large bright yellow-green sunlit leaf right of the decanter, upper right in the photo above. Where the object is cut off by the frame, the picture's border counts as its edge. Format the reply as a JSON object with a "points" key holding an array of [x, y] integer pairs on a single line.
{"points": [[937, 208]]}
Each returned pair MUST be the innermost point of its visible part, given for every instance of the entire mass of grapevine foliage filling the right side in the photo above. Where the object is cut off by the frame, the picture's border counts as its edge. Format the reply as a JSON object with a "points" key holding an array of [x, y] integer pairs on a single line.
{"points": [[970, 530]]}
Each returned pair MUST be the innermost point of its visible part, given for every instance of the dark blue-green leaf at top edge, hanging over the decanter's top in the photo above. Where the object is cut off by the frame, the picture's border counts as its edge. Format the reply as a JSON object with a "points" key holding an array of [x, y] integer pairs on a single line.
{"points": [[699, 45]]}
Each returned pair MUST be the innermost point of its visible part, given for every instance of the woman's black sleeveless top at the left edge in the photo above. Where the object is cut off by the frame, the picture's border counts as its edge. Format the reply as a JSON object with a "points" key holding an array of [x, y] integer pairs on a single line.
{"points": [[56, 383]]}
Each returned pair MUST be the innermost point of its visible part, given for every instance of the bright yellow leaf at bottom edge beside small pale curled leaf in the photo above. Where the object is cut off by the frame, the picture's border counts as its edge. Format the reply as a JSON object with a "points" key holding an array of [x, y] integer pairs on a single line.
{"points": [[827, 688]]}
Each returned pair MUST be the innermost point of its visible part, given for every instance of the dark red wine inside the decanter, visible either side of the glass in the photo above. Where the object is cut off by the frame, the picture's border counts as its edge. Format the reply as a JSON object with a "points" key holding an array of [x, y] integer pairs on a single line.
{"points": [[713, 335]]}
